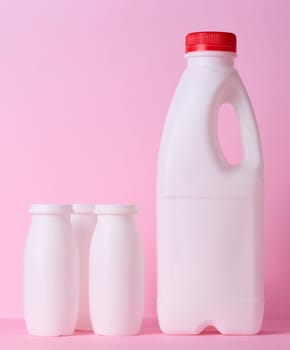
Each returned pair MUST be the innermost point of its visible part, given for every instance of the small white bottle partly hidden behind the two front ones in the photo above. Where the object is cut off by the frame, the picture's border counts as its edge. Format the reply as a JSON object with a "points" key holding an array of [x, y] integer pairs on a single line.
{"points": [[83, 221]]}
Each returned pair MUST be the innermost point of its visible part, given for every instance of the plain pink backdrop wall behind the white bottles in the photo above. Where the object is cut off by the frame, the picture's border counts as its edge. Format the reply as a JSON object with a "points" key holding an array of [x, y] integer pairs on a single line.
{"points": [[84, 91]]}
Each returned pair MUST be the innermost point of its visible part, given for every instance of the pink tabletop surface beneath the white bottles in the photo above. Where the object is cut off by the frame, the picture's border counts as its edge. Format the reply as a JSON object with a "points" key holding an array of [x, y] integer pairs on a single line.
{"points": [[275, 335]]}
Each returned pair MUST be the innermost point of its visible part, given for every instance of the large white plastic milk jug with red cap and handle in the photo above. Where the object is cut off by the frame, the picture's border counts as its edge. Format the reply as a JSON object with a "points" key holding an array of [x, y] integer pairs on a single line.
{"points": [[210, 213]]}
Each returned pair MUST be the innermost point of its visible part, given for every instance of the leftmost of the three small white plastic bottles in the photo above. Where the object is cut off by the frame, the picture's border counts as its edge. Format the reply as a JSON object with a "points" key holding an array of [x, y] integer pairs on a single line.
{"points": [[50, 272]]}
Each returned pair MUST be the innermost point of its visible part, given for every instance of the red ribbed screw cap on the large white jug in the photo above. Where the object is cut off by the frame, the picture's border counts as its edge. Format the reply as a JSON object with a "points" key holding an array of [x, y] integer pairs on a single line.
{"points": [[213, 41]]}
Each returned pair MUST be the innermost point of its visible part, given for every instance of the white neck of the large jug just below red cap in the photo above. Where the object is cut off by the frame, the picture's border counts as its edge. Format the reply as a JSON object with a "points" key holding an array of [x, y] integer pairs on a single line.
{"points": [[210, 59]]}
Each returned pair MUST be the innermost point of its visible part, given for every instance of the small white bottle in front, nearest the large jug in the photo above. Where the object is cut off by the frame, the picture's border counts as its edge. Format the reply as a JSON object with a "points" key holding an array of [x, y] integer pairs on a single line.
{"points": [[116, 272]]}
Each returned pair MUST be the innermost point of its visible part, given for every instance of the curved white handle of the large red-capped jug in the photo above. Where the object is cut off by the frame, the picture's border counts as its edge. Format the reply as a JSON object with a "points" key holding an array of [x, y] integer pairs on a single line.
{"points": [[234, 93]]}
